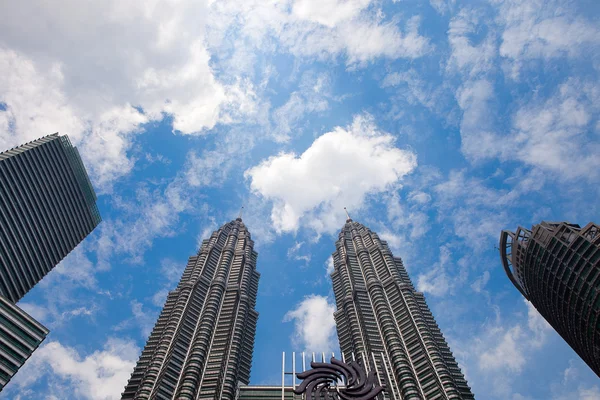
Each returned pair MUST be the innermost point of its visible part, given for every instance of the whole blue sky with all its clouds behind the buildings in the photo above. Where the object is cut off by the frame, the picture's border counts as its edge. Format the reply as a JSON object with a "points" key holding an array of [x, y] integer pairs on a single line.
{"points": [[437, 123]]}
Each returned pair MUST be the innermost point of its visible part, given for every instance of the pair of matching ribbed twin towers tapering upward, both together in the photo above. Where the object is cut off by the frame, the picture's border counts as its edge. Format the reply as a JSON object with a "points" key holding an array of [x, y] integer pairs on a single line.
{"points": [[201, 346]]}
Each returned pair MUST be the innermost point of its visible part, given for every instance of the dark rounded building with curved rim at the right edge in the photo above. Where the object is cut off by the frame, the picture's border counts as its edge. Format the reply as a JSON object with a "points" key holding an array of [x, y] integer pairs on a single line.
{"points": [[556, 266]]}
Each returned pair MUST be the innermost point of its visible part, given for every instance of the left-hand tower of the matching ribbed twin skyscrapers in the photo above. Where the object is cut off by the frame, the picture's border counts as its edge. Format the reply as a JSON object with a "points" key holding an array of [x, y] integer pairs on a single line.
{"points": [[201, 346]]}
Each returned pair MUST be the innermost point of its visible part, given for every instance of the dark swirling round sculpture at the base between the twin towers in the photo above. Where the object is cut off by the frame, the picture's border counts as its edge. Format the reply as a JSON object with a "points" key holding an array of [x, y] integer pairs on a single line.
{"points": [[320, 382]]}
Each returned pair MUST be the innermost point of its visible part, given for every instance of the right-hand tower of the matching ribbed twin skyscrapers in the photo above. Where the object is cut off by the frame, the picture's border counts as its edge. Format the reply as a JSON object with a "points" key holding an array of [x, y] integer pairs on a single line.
{"points": [[382, 320]]}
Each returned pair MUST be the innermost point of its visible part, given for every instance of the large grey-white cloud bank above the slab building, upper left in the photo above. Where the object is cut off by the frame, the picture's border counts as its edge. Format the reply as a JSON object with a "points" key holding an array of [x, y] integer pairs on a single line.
{"points": [[98, 71]]}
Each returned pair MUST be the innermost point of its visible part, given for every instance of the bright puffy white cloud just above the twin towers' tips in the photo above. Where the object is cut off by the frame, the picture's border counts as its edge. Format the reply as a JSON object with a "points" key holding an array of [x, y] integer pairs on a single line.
{"points": [[339, 170]]}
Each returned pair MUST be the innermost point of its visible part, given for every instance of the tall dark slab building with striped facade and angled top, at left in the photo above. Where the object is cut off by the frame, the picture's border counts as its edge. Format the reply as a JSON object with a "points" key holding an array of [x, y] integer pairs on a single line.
{"points": [[47, 207]]}
